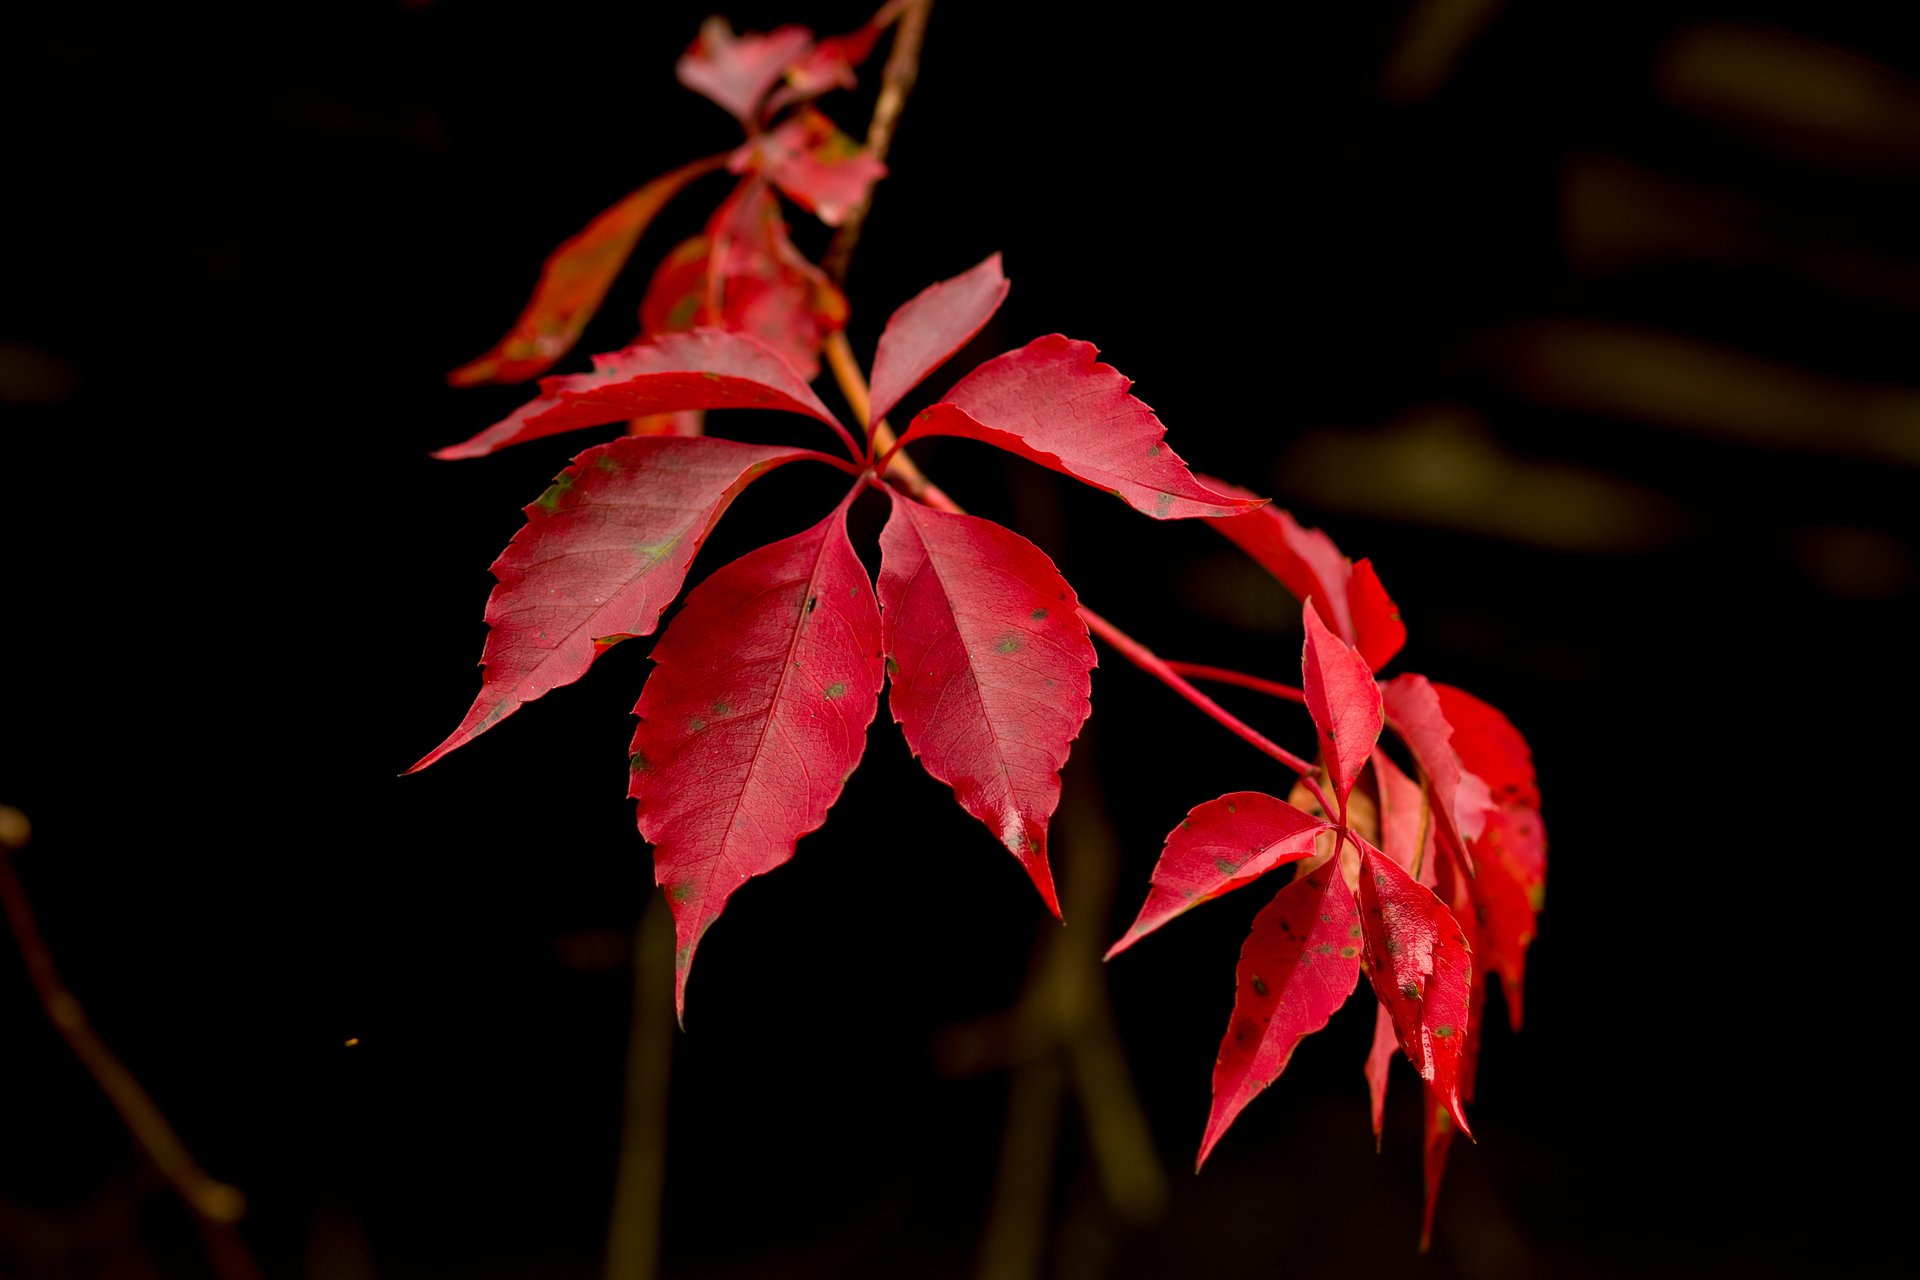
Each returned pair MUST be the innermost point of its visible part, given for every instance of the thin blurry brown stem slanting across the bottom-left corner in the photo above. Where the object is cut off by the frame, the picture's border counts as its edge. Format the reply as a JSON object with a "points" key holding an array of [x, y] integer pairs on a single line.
{"points": [[216, 1204]]}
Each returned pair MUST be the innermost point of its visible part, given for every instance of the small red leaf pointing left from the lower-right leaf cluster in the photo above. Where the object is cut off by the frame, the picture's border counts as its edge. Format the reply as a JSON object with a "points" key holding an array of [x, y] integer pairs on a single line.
{"points": [[1220, 847]]}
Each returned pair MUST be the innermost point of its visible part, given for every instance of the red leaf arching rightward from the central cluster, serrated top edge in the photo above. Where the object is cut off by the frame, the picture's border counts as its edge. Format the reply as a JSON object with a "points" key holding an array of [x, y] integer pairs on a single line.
{"points": [[1055, 404]]}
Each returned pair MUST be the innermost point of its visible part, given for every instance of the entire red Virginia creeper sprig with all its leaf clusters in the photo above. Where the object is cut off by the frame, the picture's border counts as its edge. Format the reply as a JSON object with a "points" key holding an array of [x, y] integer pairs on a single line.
{"points": [[771, 673]]}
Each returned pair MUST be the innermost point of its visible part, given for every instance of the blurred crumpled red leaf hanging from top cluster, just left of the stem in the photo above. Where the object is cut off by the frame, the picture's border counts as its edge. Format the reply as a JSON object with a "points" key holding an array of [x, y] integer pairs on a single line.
{"points": [[759, 285]]}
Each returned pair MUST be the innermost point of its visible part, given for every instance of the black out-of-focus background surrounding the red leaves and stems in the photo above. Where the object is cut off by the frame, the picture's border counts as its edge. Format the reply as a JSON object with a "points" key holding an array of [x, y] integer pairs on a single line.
{"points": [[245, 245]]}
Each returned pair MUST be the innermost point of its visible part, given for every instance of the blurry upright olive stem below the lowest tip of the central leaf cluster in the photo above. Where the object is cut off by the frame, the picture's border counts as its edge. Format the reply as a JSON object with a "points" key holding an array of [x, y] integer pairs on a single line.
{"points": [[635, 1235]]}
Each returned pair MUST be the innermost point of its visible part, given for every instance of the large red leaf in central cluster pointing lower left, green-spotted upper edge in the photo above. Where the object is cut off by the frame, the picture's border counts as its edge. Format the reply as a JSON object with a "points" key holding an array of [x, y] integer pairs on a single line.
{"points": [[602, 556]]}
